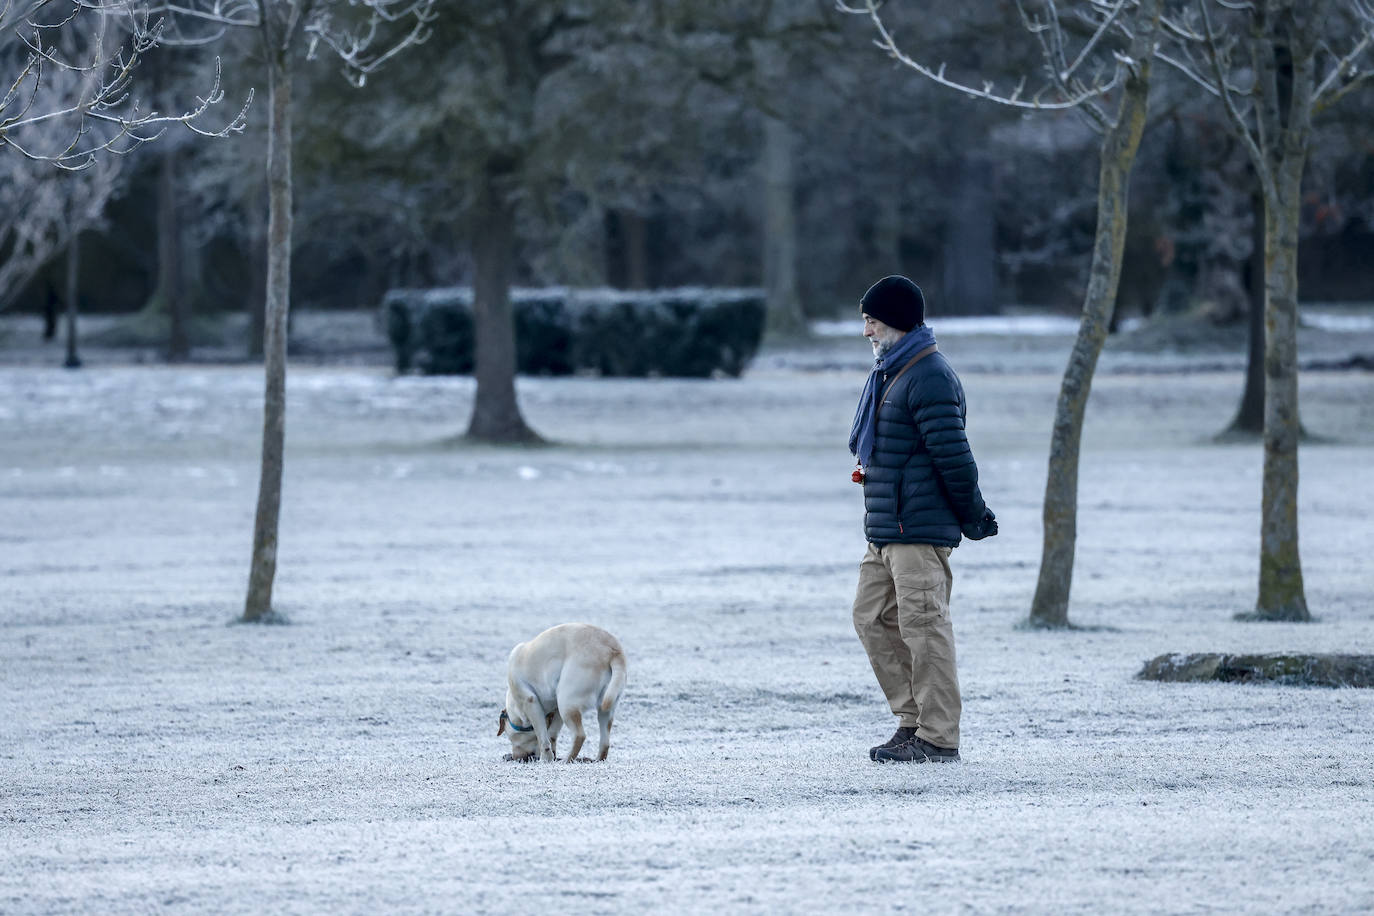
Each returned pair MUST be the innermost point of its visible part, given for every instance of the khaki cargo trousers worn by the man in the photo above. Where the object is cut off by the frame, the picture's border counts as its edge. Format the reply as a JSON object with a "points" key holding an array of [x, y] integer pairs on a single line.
{"points": [[902, 616]]}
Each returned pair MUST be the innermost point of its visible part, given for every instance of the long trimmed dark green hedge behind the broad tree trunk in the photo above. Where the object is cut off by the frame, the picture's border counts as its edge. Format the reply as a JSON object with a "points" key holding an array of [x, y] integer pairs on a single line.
{"points": [[692, 333]]}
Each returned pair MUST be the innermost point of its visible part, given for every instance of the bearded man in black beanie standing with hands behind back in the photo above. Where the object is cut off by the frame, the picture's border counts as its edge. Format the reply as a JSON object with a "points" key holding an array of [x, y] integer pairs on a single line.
{"points": [[921, 495]]}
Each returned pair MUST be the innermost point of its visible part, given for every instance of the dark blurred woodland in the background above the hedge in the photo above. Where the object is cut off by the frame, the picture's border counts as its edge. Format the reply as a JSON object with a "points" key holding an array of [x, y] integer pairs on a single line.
{"points": [[657, 160]]}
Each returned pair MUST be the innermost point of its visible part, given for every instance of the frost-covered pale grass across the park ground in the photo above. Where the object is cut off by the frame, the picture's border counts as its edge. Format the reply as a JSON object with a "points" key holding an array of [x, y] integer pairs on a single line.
{"points": [[156, 757]]}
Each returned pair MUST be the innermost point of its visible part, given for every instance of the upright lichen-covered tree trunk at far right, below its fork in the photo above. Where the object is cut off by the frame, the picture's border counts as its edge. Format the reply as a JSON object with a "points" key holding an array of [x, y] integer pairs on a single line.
{"points": [[1283, 597]]}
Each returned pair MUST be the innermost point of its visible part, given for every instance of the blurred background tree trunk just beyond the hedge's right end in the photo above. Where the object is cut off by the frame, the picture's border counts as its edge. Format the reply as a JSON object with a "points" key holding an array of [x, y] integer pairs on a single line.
{"points": [[785, 315]]}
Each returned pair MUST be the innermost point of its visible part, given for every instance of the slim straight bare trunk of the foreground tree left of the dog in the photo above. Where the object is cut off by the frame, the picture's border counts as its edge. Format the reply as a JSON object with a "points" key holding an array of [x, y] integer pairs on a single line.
{"points": [[263, 573]]}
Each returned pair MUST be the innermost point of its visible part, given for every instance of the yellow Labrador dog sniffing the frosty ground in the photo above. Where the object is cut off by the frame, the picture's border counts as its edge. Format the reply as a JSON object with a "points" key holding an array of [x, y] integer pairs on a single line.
{"points": [[557, 678]]}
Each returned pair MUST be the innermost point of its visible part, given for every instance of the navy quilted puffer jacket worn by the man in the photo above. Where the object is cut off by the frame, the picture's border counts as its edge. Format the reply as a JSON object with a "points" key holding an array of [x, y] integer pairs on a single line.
{"points": [[923, 484]]}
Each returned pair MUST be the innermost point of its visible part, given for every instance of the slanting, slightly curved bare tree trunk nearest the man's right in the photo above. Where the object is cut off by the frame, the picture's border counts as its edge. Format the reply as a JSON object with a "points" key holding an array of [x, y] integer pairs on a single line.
{"points": [[1050, 608]]}
